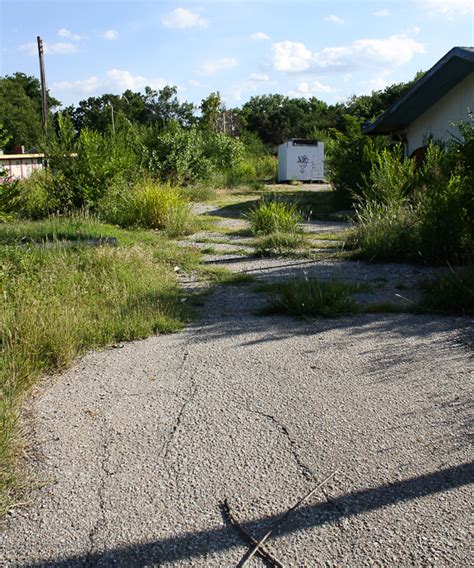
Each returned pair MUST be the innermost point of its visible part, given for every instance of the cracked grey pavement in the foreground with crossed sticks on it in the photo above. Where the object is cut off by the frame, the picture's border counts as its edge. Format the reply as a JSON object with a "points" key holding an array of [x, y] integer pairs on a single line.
{"points": [[137, 447]]}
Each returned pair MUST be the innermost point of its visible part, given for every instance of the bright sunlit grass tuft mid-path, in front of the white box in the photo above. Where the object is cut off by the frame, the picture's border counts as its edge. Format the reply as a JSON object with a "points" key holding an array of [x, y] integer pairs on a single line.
{"points": [[271, 216]]}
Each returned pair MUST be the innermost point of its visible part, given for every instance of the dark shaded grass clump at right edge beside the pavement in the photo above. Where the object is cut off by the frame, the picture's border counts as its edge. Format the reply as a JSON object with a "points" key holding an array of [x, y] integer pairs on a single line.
{"points": [[450, 293]]}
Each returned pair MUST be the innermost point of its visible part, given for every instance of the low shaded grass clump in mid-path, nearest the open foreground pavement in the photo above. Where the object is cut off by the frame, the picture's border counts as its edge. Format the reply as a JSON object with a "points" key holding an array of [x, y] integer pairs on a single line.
{"points": [[312, 298]]}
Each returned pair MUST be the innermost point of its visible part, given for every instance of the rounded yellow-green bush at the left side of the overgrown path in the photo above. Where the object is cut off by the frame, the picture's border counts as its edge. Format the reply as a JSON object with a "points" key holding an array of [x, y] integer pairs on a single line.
{"points": [[151, 205]]}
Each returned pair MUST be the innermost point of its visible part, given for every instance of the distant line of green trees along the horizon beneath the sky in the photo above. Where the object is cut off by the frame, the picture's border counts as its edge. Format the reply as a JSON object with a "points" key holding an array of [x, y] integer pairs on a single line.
{"points": [[272, 118]]}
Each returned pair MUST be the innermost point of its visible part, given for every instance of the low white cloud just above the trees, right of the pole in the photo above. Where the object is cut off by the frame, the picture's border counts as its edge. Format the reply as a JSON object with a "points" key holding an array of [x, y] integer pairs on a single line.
{"points": [[115, 81]]}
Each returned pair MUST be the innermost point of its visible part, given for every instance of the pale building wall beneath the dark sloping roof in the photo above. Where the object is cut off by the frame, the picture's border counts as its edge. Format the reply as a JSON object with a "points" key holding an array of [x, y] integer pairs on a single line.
{"points": [[437, 121]]}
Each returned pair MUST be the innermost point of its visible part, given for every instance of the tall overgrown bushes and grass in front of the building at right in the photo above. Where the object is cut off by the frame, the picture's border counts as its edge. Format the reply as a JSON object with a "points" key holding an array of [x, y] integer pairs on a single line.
{"points": [[424, 215]]}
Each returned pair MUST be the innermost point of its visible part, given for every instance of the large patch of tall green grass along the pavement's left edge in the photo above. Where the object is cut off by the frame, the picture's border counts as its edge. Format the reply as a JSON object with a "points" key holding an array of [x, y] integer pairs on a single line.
{"points": [[61, 297]]}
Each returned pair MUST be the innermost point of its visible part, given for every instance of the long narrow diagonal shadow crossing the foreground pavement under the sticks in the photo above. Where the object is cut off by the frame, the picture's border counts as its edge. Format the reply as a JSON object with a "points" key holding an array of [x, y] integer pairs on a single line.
{"points": [[192, 545]]}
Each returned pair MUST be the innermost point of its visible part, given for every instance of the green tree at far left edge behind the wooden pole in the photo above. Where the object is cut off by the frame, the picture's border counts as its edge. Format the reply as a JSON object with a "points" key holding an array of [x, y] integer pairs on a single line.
{"points": [[20, 110]]}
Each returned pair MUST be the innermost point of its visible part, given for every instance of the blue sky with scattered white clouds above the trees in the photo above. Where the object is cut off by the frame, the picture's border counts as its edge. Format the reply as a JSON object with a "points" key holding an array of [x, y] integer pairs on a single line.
{"points": [[327, 49]]}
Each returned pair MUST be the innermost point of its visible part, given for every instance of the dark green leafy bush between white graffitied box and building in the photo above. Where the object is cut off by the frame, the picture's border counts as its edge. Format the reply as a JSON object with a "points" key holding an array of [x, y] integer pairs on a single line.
{"points": [[349, 158]]}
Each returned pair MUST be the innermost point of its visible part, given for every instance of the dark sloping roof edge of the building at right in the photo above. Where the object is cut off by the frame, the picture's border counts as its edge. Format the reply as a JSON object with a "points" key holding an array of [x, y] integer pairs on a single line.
{"points": [[450, 70]]}
